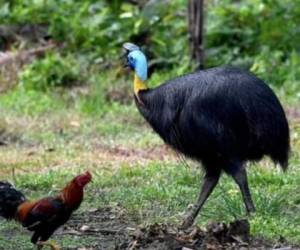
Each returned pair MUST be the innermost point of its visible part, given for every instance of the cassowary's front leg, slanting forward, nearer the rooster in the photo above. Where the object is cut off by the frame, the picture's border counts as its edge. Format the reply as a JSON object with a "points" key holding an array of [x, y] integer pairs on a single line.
{"points": [[210, 181]]}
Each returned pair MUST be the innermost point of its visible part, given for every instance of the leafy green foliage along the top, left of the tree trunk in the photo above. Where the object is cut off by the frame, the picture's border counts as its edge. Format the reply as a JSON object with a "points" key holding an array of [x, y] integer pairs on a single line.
{"points": [[98, 28]]}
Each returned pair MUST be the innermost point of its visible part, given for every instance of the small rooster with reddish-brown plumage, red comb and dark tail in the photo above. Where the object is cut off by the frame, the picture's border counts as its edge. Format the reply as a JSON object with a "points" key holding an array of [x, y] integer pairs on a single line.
{"points": [[46, 215]]}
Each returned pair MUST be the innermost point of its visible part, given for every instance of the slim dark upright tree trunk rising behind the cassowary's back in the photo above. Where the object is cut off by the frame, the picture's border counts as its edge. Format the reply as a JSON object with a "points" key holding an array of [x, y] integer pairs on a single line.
{"points": [[195, 23]]}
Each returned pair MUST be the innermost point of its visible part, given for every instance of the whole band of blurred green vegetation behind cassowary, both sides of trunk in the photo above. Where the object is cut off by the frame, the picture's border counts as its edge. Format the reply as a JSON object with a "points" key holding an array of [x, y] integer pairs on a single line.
{"points": [[259, 35]]}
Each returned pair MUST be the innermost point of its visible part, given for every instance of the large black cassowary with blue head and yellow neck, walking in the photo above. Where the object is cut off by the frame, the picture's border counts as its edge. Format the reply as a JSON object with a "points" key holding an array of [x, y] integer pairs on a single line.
{"points": [[222, 117]]}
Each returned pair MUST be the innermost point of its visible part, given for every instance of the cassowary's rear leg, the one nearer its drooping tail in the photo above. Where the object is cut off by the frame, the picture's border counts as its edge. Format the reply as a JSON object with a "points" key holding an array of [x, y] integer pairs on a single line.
{"points": [[239, 174]]}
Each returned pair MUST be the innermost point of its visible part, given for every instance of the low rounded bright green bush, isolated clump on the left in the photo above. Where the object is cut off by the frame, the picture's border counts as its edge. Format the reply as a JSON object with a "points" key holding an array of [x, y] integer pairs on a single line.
{"points": [[51, 71]]}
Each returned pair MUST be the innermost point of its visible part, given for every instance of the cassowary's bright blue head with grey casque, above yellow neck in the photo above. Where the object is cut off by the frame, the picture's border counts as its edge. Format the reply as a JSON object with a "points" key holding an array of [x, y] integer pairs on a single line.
{"points": [[136, 60]]}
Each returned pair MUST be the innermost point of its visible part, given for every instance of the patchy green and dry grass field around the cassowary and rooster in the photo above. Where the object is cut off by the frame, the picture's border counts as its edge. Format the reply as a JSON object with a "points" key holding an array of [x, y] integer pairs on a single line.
{"points": [[58, 136]]}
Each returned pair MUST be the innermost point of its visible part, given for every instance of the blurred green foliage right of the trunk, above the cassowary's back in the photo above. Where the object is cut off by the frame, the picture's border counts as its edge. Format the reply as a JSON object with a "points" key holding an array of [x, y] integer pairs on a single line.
{"points": [[263, 35]]}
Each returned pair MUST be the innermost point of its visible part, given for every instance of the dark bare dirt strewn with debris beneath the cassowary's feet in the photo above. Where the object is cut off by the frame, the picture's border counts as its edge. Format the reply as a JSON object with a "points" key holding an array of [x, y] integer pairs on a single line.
{"points": [[111, 228]]}
